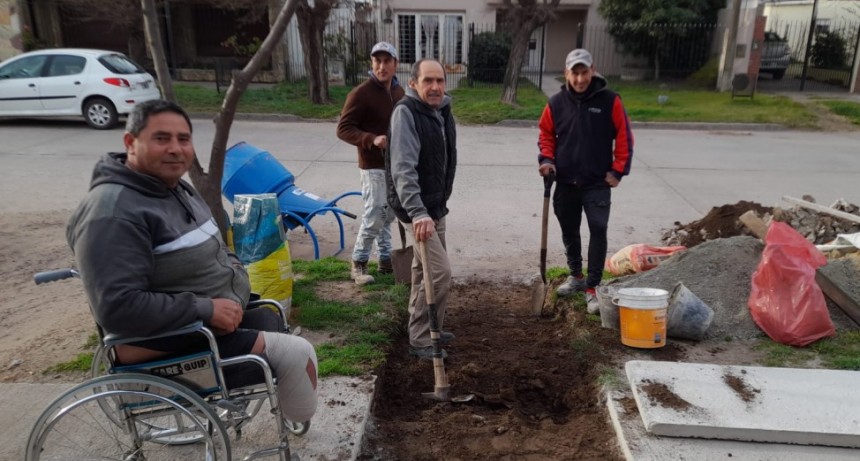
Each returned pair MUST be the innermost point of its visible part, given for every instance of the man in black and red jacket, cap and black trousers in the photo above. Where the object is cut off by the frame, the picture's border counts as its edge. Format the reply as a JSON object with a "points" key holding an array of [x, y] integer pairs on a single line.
{"points": [[586, 141]]}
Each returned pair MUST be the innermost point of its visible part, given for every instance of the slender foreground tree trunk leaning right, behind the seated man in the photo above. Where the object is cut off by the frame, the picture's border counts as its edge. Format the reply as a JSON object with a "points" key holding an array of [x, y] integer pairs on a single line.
{"points": [[209, 184]]}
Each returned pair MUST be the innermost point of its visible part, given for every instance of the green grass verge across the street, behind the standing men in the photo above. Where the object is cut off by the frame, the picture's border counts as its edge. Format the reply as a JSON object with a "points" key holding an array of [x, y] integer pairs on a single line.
{"points": [[686, 103]]}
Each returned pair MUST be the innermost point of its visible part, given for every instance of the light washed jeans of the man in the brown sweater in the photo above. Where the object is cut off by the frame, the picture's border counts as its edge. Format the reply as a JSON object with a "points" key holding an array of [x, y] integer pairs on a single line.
{"points": [[376, 220]]}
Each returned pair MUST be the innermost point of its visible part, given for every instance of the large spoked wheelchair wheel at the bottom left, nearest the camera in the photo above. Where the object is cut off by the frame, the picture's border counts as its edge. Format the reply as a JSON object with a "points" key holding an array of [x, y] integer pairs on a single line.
{"points": [[128, 416]]}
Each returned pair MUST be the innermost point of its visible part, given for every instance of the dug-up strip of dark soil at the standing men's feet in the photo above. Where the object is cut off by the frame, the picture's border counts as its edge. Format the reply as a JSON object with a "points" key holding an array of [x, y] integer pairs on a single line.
{"points": [[535, 382]]}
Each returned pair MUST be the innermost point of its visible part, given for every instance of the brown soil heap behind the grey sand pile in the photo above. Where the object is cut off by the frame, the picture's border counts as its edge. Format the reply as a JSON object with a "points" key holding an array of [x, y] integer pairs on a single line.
{"points": [[720, 222]]}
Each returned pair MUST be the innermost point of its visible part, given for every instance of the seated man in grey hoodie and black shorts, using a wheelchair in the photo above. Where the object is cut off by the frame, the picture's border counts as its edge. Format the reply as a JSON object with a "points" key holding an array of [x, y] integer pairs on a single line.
{"points": [[152, 260]]}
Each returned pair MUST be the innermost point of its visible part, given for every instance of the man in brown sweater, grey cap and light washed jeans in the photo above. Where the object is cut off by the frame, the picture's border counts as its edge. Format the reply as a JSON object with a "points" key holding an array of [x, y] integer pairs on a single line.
{"points": [[364, 123]]}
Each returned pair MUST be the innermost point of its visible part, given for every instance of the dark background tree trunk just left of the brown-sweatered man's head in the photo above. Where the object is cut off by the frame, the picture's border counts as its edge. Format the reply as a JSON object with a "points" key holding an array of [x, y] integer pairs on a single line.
{"points": [[311, 21]]}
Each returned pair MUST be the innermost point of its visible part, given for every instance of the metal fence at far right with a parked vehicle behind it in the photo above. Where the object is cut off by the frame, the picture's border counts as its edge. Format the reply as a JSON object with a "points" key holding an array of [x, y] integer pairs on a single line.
{"points": [[823, 64]]}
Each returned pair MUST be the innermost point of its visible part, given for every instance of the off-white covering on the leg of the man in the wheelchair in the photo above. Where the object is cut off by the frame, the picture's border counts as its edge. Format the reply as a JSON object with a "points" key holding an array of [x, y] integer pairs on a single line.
{"points": [[294, 364]]}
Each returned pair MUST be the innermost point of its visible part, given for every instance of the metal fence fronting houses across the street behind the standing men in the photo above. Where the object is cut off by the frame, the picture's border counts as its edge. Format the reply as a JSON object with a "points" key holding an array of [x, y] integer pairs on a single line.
{"points": [[476, 55]]}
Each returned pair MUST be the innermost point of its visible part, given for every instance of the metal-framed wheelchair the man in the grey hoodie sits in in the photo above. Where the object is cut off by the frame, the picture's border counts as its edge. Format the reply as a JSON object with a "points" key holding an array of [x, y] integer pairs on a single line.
{"points": [[175, 408]]}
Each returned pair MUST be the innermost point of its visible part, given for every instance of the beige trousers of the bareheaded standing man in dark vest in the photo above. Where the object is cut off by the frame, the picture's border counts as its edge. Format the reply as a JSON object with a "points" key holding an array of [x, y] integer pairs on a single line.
{"points": [[439, 268]]}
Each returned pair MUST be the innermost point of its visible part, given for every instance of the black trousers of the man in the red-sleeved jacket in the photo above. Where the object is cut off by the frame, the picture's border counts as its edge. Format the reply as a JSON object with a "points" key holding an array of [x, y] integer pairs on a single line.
{"points": [[569, 202]]}
